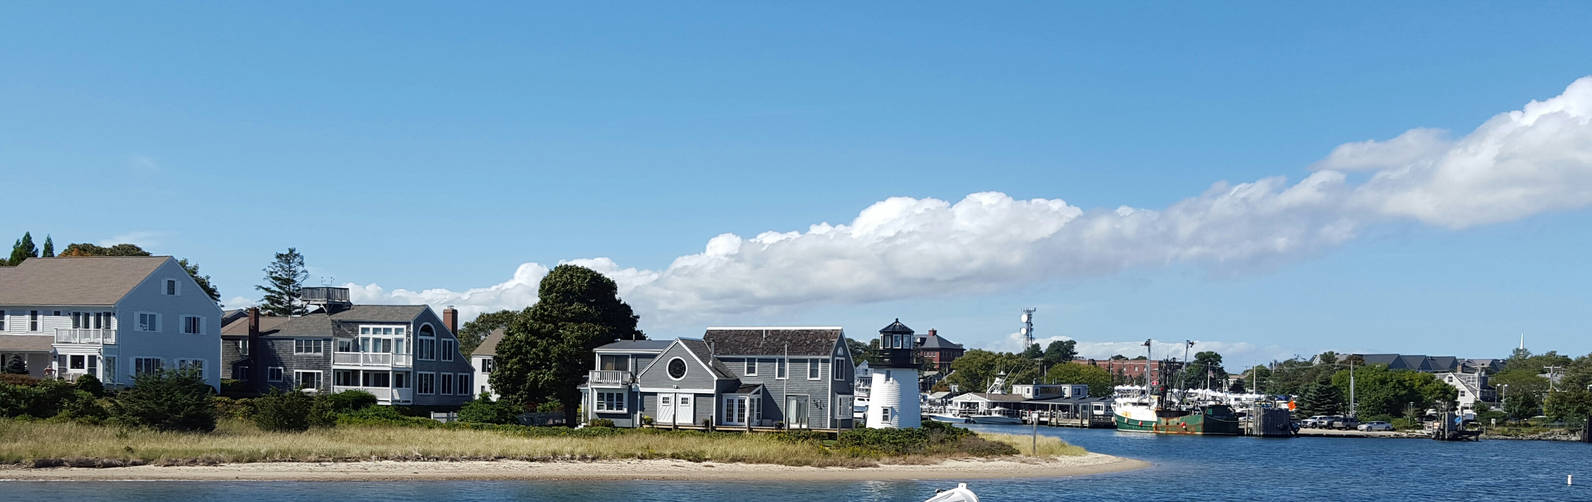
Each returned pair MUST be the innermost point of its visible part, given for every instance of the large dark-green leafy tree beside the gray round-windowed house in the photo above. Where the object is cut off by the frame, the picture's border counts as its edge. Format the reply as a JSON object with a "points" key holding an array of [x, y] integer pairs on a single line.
{"points": [[547, 350]]}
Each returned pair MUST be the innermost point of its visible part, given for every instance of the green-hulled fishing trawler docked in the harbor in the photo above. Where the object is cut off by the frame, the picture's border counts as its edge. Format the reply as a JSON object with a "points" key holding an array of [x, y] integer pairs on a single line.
{"points": [[1153, 412]]}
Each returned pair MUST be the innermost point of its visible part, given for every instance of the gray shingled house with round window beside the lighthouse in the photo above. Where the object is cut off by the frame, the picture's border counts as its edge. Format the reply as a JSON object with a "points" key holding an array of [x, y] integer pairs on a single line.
{"points": [[735, 378]]}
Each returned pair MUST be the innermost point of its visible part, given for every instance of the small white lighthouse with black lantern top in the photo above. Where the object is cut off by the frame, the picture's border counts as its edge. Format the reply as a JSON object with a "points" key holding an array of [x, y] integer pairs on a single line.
{"points": [[894, 399]]}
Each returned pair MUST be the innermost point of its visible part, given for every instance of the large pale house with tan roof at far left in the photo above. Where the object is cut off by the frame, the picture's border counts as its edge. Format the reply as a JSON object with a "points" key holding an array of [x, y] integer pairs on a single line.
{"points": [[107, 316]]}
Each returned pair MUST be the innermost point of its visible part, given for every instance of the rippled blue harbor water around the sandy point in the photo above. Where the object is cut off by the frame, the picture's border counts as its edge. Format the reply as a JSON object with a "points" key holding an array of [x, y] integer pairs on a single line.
{"points": [[1185, 469]]}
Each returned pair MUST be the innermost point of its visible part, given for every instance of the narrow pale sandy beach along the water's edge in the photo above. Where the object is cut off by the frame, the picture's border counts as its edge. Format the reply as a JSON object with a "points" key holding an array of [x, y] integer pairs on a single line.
{"points": [[969, 469]]}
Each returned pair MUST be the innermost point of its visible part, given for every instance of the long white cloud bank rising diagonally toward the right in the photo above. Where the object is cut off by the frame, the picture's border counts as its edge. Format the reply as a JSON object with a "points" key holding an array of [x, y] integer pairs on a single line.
{"points": [[1513, 167]]}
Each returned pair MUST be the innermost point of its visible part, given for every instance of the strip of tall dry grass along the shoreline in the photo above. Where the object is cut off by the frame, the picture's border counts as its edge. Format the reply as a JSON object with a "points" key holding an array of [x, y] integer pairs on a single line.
{"points": [[41, 444]]}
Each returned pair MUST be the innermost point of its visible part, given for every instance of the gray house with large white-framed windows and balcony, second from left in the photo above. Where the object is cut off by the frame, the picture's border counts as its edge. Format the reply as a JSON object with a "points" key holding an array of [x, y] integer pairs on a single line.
{"points": [[404, 355]]}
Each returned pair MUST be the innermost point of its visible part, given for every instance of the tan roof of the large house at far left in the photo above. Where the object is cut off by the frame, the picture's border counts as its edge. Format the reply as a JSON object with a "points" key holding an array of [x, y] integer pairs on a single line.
{"points": [[76, 281]]}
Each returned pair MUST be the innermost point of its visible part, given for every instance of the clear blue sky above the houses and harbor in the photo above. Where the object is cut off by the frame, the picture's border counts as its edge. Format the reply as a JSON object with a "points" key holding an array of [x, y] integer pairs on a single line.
{"points": [[432, 151]]}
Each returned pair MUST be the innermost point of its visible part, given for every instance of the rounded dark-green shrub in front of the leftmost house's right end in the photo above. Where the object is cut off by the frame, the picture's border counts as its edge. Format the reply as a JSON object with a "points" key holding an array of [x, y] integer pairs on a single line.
{"points": [[168, 401]]}
